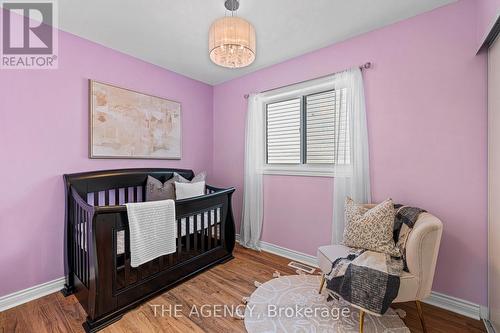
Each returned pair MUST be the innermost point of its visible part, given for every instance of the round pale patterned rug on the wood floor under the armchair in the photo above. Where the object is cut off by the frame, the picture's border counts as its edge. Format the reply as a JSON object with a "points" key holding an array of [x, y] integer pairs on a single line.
{"points": [[292, 304]]}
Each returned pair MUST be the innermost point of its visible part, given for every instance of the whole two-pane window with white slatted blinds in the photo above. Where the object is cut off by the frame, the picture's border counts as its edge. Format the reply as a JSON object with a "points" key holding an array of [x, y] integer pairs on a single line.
{"points": [[308, 132]]}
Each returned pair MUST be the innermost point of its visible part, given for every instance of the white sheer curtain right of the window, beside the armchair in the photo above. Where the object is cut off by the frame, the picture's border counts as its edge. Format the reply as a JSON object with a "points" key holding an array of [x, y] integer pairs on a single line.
{"points": [[354, 180]]}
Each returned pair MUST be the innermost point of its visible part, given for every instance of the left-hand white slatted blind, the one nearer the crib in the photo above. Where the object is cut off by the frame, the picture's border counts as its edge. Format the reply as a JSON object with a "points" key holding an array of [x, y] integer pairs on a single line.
{"points": [[284, 132]]}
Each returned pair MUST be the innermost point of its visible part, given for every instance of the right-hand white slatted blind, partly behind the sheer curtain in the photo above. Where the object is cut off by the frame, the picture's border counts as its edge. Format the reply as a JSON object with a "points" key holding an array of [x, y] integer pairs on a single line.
{"points": [[327, 130]]}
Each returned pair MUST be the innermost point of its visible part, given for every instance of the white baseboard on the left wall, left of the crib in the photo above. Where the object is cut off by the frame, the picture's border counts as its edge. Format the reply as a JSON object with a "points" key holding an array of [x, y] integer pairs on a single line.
{"points": [[32, 293]]}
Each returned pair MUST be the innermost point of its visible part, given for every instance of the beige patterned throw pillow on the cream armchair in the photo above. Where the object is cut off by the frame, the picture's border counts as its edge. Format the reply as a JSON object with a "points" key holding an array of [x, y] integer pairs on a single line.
{"points": [[370, 229]]}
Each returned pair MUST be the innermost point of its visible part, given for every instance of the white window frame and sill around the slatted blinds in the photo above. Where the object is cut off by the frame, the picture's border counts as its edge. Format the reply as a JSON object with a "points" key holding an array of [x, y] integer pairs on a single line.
{"points": [[302, 168]]}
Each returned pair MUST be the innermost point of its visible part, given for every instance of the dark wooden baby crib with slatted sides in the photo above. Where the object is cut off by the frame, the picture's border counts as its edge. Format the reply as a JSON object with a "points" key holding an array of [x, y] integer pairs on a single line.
{"points": [[97, 251]]}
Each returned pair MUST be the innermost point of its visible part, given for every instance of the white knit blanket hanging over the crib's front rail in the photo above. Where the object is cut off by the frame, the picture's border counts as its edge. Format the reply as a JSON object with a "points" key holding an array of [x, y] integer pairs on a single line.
{"points": [[153, 230]]}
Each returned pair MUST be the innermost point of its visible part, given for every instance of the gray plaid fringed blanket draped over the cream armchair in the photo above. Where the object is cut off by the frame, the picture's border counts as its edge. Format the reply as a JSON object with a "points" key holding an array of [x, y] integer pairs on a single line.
{"points": [[370, 280]]}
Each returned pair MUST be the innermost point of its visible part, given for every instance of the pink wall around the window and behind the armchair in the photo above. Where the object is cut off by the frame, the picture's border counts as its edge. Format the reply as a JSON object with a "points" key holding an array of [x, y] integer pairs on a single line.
{"points": [[426, 105]]}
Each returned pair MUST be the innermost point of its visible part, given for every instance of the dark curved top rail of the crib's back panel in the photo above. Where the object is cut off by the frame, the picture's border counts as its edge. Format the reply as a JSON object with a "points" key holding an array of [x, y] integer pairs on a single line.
{"points": [[103, 180]]}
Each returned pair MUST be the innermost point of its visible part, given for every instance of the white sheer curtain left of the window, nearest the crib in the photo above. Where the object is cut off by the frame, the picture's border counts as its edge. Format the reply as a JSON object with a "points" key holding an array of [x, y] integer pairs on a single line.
{"points": [[251, 222]]}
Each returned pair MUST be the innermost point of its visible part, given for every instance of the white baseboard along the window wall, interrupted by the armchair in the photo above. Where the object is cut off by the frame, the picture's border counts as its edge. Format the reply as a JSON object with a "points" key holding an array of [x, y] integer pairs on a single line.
{"points": [[440, 300]]}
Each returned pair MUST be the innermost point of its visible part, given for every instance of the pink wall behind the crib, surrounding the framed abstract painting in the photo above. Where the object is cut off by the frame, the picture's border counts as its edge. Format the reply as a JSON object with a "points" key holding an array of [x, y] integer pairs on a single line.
{"points": [[44, 133]]}
